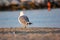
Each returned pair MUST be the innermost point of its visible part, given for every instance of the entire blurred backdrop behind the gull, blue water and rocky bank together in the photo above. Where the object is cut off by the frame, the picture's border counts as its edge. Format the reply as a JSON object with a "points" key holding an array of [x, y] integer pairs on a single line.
{"points": [[42, 13]]}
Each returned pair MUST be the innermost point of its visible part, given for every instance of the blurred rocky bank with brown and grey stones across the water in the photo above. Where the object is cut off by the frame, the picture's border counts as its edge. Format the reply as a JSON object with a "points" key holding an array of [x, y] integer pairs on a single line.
{"points": [[27, 4]]}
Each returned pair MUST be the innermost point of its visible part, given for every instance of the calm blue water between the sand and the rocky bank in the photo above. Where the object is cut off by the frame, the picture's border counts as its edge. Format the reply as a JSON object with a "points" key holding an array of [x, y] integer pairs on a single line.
{"points": [[39, 18]]}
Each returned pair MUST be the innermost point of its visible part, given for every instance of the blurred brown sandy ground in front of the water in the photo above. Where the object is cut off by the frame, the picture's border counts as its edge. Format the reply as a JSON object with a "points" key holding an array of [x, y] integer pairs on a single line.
{"points": [[29, 33]]}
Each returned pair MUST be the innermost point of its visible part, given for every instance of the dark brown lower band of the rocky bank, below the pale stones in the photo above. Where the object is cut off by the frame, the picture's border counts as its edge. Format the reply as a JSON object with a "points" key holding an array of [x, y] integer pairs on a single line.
{"points": [[29, 5]]}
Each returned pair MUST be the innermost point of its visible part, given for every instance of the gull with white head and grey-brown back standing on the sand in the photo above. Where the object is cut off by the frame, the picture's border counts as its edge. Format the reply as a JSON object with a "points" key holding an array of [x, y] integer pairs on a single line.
{"points": [[23, 19]]}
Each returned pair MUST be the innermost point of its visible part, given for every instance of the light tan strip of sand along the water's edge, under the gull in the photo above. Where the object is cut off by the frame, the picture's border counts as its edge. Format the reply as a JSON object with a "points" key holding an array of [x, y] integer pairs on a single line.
{"points": [[30, 30]]}
